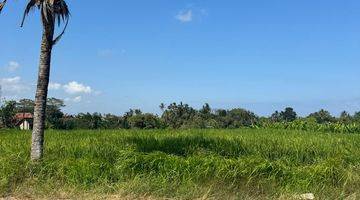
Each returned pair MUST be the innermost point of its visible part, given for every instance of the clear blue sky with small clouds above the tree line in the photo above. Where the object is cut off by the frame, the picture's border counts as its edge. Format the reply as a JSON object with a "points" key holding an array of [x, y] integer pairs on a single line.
{"points": [[256, 54]]}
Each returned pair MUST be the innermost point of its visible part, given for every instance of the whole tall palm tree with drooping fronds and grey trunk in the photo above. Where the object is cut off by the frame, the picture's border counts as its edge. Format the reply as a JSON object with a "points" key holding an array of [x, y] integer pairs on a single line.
{"points": [[52, 12]]}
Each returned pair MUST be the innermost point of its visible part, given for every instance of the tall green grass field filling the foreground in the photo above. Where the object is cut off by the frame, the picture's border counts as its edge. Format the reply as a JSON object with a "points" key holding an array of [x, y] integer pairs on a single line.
{"points": [[182, 164]]}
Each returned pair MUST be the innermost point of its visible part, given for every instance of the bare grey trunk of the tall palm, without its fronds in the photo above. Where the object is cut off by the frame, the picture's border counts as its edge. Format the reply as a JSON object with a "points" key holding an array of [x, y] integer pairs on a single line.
{"points": [[37, 144]]}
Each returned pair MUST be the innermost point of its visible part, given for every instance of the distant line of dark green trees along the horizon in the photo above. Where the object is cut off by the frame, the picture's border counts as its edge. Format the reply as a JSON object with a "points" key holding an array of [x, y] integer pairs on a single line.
{"points": [[180, 116]]}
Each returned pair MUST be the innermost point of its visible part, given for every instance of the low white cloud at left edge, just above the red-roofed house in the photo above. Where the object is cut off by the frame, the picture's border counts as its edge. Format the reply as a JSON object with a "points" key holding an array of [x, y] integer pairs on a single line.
{"points": [[13, 85]]}
